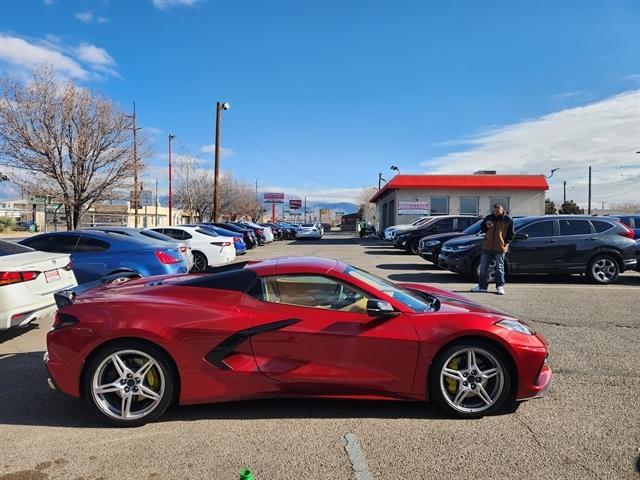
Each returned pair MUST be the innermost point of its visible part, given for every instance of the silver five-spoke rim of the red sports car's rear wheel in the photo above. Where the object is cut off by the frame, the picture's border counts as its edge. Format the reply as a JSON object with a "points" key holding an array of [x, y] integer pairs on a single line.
{"points": [[128, 385]]}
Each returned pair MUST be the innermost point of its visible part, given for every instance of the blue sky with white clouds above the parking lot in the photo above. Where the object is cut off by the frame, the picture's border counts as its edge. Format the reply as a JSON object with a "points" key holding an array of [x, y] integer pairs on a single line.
{"points": [[342, 89]]}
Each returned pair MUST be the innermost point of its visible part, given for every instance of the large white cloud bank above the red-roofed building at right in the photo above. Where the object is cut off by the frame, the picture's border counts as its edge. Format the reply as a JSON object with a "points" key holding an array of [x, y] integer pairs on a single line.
{"points": [[603, 134]]}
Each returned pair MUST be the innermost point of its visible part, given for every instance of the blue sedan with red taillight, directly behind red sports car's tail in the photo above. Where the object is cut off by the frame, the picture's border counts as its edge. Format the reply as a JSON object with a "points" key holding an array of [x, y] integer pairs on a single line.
{"points": [[95, 254]]}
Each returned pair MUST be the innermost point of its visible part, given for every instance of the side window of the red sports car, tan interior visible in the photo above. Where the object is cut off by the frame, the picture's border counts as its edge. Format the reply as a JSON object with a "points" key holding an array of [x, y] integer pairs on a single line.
{"points": [[313, 291]]}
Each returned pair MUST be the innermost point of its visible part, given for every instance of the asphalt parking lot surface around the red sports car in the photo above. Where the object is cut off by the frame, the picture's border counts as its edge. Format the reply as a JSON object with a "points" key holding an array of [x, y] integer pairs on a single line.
{"points": [[588, 426]]}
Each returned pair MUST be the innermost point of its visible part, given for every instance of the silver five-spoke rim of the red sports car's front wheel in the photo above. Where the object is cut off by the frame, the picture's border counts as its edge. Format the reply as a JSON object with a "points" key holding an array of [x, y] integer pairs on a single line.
{"points": [[472, 380]]}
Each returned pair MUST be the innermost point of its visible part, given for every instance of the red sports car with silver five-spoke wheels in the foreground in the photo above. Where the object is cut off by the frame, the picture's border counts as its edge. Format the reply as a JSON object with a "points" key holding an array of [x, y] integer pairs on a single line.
{"points": [[288, 327]]}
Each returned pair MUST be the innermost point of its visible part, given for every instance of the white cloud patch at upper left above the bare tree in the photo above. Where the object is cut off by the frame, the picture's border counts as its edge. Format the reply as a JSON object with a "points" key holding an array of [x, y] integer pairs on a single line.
{"points": [[84, 62]]}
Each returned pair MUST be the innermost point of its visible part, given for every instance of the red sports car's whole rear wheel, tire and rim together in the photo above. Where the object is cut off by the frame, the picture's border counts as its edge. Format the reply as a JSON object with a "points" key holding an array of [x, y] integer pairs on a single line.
{"points": [[129, 384]]}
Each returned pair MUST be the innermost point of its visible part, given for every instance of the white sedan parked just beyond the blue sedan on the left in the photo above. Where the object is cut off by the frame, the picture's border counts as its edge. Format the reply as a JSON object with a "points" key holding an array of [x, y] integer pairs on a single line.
{"points": [[208, 248]]}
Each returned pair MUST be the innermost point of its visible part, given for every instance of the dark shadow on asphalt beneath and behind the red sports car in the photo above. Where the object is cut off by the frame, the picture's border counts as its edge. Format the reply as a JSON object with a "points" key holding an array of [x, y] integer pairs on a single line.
{"points": [[27, 400]]}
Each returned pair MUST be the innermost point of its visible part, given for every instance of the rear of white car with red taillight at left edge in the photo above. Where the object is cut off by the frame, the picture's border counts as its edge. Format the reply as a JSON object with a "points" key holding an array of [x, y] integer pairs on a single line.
{"points": [[28, 280]]}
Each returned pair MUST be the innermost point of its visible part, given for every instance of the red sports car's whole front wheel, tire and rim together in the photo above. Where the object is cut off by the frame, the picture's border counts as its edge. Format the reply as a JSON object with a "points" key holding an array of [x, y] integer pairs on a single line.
{"points": [[470, 379]]}
